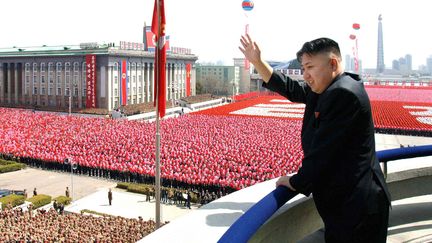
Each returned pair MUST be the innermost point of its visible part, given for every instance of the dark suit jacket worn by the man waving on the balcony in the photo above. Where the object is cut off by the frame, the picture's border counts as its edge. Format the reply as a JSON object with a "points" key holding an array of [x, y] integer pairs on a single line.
{"points": [[340, 167]]}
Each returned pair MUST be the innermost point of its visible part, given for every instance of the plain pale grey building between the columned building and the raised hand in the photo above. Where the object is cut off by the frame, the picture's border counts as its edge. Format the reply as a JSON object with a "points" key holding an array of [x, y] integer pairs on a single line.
{"points": [[219, 79]]}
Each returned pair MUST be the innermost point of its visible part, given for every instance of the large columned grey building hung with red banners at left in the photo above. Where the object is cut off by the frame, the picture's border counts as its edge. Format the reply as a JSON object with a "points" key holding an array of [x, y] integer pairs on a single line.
{"points": [[91, 74]]}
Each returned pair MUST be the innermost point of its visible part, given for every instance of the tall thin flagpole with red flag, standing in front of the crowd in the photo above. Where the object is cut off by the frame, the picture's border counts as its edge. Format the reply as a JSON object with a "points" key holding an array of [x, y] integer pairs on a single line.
{"points": [[157, 72]]}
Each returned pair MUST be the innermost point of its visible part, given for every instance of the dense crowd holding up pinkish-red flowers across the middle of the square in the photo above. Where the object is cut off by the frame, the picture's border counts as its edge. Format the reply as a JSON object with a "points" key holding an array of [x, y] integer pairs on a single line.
{"points": [[226, 151]]}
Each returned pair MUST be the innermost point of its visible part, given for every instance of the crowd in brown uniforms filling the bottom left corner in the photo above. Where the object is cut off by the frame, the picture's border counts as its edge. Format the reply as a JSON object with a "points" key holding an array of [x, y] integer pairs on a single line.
{"points": [[17, 225]]}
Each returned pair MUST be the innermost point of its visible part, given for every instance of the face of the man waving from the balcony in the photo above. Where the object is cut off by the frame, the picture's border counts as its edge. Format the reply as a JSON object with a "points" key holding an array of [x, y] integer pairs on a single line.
{"points": [[317, 71]]}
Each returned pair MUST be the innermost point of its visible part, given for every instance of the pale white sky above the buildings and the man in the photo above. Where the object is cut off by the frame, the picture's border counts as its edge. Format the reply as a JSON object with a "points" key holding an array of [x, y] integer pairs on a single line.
{"points": [[212, 29]]}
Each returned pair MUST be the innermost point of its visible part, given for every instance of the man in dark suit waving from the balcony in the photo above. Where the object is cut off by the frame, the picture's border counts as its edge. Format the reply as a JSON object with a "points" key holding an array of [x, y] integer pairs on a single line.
{"points": [[340, 167]]}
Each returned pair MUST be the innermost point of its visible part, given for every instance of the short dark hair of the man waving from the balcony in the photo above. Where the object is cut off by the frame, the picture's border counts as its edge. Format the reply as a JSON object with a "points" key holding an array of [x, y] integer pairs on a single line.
{"points": [[320, 45]]}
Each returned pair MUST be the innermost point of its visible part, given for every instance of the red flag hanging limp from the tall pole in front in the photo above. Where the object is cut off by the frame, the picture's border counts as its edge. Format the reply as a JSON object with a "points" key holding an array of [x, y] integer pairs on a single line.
{"points": [[160, 56]]}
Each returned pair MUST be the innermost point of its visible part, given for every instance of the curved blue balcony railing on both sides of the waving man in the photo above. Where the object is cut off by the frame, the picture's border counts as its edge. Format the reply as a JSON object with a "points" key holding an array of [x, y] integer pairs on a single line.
{"points": [[246, 226]]}
